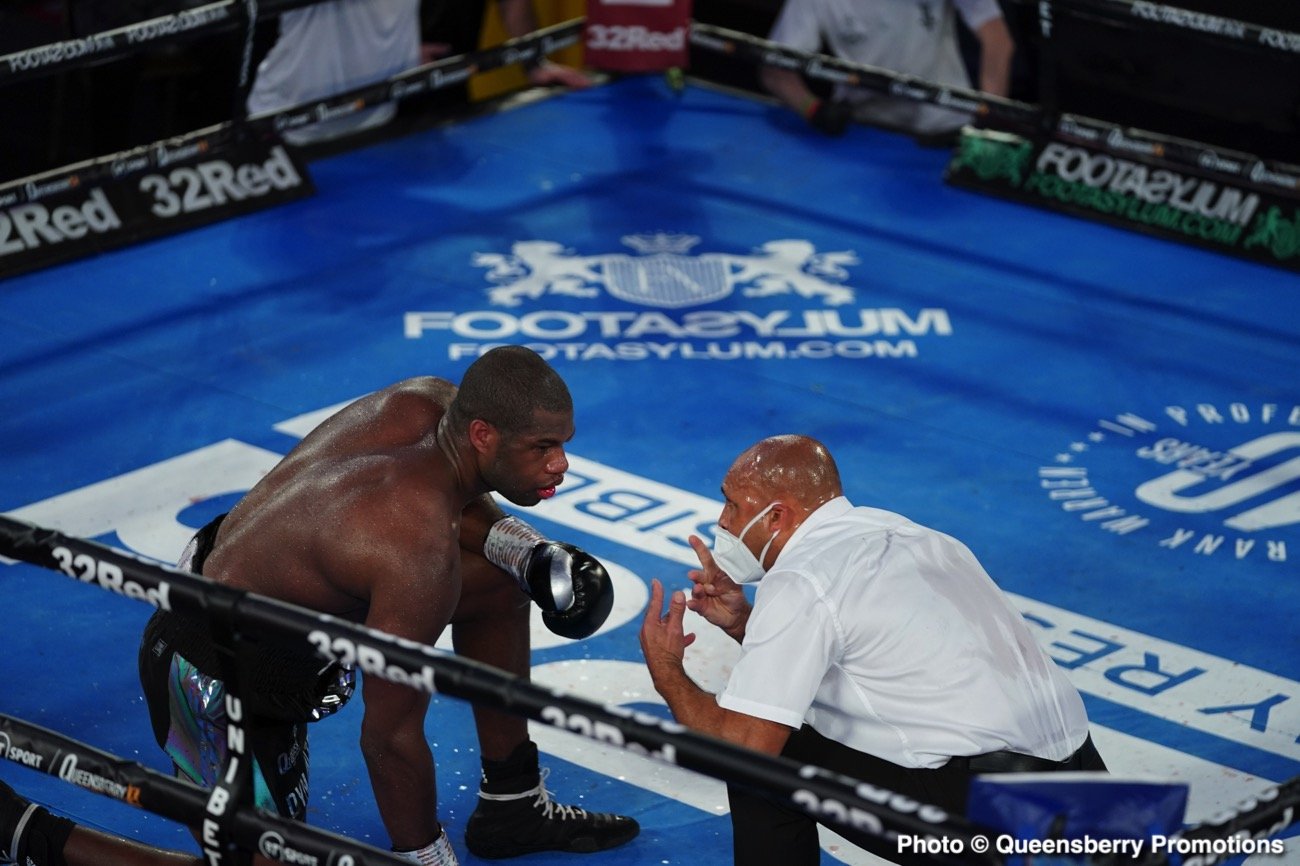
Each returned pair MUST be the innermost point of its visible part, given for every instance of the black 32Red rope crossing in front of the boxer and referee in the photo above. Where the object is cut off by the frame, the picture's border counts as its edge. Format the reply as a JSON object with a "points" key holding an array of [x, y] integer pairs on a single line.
{"points": [[820, 793]]}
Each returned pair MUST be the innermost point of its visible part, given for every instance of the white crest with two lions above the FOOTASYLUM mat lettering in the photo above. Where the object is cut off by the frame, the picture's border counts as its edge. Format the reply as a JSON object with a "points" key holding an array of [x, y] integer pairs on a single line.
{"points": [[664, 275]]}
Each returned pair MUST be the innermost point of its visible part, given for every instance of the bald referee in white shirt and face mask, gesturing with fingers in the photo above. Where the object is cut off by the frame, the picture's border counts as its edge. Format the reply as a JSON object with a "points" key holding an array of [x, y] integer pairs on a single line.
{"points": [[876, 647]]}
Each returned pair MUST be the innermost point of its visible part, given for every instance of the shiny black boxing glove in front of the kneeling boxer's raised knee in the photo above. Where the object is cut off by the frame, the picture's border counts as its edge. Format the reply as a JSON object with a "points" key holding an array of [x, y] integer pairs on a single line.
{"points": [[571, 587]]}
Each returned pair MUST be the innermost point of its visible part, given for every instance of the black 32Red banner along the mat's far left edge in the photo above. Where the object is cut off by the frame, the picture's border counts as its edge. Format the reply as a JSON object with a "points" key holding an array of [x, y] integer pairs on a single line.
{"points": [[44, 223]]}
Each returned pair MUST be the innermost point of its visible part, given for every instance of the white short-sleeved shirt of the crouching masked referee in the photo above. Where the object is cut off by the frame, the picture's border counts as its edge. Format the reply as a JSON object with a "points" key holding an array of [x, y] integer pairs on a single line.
{"points": [[892, 639]]}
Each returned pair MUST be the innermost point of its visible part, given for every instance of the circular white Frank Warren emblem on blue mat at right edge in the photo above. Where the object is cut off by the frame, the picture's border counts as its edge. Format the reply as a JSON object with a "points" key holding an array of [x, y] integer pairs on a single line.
{"points": [[1202, 479]]}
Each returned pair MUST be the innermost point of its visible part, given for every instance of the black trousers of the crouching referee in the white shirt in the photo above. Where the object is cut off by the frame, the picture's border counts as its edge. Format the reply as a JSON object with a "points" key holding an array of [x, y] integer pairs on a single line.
{"points": [[766, 833]]}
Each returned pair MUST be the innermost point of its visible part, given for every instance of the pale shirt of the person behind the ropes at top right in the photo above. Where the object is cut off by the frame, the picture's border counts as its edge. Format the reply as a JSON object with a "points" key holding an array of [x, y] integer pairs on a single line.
{"points": [[915, 37]]}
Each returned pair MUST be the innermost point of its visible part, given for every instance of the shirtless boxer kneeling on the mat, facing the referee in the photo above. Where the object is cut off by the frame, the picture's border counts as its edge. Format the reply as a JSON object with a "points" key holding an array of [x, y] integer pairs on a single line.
{"points": [[384, 516]]}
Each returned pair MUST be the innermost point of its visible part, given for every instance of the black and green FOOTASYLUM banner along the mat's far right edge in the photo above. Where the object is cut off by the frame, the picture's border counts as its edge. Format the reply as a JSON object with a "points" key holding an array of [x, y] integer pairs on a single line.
{"points": [[1134, 189]]}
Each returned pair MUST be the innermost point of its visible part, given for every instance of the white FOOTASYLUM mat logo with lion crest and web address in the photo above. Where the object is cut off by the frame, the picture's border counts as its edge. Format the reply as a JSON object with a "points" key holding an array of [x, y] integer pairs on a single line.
{"points": [[666, 302]]}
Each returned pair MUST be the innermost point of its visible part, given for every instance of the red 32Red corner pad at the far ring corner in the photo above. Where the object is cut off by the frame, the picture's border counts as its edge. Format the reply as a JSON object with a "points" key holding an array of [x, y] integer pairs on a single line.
{"points": [[638, 36]]}
